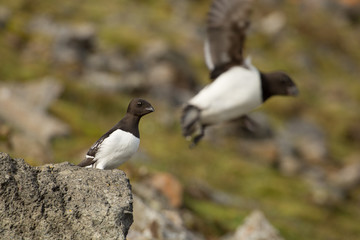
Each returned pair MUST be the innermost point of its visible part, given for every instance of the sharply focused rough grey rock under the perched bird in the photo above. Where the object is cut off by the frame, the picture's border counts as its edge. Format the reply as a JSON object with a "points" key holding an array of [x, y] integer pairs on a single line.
{"points": [[62, 201]]}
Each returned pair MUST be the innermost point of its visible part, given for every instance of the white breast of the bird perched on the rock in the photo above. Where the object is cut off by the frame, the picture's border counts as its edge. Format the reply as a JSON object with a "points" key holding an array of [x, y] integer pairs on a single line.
{"points": [[117, 148]]}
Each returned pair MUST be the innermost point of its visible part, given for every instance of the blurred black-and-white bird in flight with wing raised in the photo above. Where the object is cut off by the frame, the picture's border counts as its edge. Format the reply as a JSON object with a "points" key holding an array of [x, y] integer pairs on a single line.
{"points": [[237, 87]]}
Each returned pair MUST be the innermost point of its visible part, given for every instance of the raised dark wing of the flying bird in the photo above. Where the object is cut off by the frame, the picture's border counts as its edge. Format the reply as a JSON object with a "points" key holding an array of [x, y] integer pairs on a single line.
{"points": [[228, 21]]}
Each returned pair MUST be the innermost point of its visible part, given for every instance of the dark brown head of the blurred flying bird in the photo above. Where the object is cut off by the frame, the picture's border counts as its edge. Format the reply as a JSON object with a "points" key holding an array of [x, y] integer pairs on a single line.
{"points": [[277, 83]]}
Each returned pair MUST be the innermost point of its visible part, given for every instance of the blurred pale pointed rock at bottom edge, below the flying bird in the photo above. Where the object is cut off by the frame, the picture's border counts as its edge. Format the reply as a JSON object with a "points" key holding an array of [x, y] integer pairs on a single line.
{"points": [[255, 227]]}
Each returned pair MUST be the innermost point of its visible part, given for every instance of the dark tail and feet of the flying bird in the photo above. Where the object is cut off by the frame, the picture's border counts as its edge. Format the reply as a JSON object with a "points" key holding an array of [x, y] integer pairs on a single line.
{"points": [[192, 128]]}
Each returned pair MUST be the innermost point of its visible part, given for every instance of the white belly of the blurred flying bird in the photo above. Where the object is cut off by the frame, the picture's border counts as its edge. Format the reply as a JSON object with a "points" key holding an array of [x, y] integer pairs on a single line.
{"points": [[234, 93]]}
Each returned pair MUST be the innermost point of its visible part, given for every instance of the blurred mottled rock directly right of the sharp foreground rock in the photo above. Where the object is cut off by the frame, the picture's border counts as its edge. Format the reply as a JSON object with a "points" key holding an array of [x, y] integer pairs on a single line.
{"points": [[156, 218]]}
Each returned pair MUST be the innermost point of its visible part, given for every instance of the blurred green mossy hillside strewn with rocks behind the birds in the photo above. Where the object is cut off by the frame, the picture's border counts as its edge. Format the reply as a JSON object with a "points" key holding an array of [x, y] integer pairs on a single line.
{"points": [[68, 70]]}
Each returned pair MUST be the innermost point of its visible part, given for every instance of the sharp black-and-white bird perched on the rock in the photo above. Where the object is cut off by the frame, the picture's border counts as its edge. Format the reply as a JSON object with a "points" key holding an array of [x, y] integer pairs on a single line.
{"points": [[120, 142]]}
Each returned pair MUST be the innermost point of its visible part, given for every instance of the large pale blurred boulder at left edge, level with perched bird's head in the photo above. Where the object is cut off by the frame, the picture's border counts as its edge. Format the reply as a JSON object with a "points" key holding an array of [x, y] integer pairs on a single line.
{"points": [[24, 107]]}
